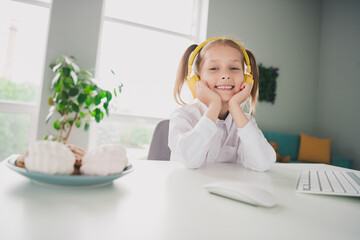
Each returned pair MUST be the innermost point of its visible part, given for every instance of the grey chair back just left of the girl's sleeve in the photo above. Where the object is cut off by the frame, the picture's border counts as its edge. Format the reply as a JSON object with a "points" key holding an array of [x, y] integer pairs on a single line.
{"points": [[159, 149]]}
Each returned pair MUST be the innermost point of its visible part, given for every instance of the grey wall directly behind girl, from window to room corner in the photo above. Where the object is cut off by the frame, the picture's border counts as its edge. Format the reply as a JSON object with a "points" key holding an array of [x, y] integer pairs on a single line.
{"points": [[283, 34]]}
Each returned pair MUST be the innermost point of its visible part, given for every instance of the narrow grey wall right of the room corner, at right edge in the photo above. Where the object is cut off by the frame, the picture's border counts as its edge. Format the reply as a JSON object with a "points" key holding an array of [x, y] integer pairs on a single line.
{"points": [[338, 110]]}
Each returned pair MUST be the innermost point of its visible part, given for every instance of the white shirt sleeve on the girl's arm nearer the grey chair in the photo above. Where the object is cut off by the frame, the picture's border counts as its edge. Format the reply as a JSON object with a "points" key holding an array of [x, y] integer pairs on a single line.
{"points": [[189, 140]]}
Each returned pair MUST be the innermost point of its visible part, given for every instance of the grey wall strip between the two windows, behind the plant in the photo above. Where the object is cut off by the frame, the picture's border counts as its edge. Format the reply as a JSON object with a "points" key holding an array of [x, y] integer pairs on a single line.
{"points": [[74, 30]]}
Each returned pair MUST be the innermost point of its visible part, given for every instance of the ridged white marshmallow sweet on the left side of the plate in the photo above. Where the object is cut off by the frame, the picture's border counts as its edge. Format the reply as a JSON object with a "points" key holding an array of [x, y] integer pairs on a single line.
{"points": [[49, 157]]}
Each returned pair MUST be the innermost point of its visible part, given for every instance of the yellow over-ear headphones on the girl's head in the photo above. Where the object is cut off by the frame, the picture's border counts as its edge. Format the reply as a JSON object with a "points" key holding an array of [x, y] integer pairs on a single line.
{"points": [[191, 80]]}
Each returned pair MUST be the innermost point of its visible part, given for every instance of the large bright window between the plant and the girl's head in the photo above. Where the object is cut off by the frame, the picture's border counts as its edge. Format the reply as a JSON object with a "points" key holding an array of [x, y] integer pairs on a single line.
{"points": [[142, 42]]}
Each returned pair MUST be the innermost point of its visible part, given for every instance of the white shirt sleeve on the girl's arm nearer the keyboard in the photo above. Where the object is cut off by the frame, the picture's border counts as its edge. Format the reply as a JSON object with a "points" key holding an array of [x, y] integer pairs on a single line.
{"points": [[254, 150]]}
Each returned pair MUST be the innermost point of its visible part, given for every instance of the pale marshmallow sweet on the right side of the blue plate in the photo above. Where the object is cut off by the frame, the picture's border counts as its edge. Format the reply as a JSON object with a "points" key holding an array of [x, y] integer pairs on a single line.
{"points": [[104, 160]]}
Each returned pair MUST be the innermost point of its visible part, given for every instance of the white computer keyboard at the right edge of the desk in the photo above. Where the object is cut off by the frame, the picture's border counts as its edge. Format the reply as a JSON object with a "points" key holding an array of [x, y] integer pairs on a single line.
{"points": [[330, 182]]}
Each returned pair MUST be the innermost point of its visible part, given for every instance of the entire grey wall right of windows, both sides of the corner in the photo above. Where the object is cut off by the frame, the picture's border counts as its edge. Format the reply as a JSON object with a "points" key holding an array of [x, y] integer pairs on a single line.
{"points": [[314, 44]]}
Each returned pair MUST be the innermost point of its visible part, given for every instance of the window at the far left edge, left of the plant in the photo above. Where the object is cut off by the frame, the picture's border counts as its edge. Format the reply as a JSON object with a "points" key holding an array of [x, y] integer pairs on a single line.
{"points": [[23, 34]]}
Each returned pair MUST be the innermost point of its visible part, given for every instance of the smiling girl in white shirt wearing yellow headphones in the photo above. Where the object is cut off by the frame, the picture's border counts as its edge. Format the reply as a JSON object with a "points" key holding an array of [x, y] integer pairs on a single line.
{"points": [[214, 128]]}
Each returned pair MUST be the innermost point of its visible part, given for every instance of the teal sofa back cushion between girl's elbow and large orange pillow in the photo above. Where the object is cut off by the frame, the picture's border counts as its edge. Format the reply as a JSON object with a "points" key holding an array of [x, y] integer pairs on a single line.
{"points": [[288, 143]]}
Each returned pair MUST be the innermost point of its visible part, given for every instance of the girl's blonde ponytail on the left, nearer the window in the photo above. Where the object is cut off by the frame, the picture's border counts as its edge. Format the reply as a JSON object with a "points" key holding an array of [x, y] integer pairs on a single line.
{"points": [[182, 73]]}
